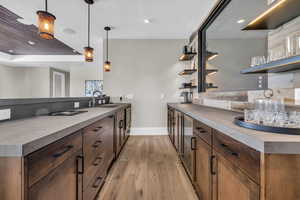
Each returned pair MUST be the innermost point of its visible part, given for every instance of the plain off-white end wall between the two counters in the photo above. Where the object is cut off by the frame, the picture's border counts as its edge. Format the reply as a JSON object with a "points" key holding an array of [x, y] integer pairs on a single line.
{"points": [[146, 69]]}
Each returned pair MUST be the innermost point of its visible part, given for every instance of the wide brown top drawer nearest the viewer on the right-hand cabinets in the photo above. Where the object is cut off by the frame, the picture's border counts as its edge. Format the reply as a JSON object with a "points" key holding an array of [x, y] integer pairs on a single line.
{"points": [[242, 156]]}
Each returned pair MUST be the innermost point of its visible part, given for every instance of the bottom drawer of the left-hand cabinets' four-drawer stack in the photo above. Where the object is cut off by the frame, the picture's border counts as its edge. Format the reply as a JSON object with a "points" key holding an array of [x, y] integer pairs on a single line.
{"points": [[94, 186]]}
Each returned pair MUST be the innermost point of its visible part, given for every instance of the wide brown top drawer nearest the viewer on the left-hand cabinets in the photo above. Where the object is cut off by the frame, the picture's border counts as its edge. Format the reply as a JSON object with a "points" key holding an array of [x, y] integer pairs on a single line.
{"points": [[40, 163]]}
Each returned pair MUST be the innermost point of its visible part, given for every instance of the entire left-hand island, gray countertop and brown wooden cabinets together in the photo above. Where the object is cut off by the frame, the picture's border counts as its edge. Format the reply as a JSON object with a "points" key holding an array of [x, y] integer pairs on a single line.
{"points": [[61, 157]]}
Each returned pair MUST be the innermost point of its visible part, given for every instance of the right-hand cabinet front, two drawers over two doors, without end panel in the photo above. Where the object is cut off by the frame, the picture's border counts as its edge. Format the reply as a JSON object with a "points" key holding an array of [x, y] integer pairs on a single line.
{"points": [[220, 170]]}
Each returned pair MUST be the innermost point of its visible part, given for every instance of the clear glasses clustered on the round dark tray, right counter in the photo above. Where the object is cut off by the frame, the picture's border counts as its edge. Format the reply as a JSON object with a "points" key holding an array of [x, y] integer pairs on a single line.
{"points": [[272, 113]]}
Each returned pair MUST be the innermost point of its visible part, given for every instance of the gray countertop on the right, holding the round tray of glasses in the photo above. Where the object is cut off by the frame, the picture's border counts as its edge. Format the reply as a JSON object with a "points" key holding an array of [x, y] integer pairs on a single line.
{"points": [[222, 121]]}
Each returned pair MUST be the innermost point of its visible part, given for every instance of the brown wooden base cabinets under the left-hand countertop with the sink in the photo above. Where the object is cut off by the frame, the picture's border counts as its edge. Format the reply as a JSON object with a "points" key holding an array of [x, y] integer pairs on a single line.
{"points": [[72, 168]]}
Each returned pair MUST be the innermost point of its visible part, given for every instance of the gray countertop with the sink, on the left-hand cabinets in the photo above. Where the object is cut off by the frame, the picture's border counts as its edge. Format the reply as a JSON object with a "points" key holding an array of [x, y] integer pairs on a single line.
{"points": [[22, 137]]}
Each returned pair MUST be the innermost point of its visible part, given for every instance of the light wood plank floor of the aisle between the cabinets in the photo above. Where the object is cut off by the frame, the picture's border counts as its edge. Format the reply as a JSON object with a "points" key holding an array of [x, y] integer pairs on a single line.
{"points": [[148, 169]]}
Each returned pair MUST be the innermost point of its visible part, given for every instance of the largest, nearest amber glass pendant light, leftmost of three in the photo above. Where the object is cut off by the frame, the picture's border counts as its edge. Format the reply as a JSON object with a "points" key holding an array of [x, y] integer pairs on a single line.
{"points": [[46, 23]]}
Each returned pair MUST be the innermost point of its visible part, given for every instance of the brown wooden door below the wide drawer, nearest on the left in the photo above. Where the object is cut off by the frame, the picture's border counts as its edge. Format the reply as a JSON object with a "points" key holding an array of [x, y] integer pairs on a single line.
{"points": [[64, 182]]}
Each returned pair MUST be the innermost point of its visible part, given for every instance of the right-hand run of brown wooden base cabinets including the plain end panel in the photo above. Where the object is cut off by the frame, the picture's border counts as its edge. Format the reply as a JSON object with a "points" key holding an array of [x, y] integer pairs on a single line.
{"points": [[226, 169]]}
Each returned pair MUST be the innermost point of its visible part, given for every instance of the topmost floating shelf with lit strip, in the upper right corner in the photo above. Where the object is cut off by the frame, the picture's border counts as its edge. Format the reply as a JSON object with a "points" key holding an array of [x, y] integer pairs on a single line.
{"points": [[278, 14]]}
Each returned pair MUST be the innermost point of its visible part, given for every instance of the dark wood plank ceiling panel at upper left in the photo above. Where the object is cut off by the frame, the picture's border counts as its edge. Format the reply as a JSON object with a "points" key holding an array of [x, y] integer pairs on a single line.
{"points": [[15, 36]]}
